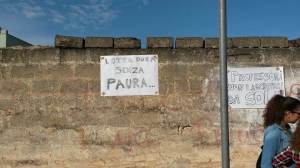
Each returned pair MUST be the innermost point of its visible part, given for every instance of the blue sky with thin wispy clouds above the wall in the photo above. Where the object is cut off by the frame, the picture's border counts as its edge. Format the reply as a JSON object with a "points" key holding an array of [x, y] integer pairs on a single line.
{"points": [[38, 21]]}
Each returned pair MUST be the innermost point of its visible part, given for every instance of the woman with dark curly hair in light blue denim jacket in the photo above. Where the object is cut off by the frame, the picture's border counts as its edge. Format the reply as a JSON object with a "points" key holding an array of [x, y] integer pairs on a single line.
{"points": [[279, 112]]}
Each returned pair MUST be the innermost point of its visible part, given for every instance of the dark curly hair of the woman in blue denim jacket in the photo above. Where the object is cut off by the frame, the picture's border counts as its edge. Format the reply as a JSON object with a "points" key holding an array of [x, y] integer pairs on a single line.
{"points": [[276, 107]]}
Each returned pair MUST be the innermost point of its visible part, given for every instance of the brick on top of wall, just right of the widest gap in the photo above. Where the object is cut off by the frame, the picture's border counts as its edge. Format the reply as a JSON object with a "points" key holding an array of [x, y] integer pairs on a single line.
{"points": [[160, 42]]}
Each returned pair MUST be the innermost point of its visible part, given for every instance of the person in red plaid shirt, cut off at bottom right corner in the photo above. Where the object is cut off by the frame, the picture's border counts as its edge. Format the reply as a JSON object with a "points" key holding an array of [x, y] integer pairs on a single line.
{"points": [[292, 153]]}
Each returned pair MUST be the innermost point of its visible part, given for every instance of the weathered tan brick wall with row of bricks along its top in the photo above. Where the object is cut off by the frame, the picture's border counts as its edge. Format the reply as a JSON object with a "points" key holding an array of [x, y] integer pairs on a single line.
{"points": [[52, 114]]}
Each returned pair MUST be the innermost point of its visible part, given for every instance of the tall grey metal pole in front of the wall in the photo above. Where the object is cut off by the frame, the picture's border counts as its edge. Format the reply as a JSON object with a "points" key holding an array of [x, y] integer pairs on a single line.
{"points": [[223, 85]]}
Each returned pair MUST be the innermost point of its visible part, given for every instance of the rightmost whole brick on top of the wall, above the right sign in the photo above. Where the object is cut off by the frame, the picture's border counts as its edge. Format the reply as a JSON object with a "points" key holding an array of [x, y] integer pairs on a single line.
{"points": [[274, 42]]}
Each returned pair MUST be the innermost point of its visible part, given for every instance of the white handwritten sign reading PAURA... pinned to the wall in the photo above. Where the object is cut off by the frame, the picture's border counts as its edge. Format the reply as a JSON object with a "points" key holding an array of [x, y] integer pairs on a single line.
{"points": [[124, 75]]}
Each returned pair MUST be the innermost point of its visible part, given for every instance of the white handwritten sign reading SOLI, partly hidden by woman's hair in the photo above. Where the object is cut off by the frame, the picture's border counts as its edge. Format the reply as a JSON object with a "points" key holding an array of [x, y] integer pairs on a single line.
{"points": [[253, 87]]}
